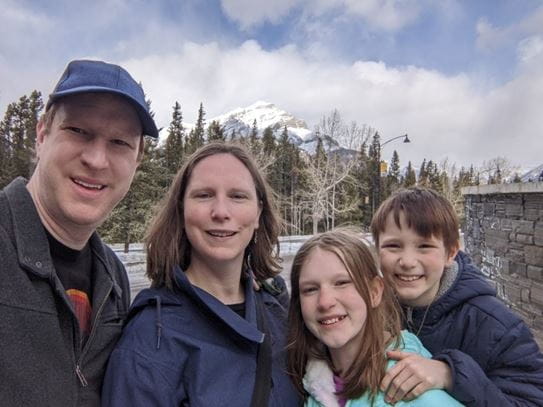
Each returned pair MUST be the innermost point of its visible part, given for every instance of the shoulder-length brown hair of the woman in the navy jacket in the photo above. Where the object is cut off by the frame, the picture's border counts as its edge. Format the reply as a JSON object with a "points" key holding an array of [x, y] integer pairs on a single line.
{"points": [[167, 245]]}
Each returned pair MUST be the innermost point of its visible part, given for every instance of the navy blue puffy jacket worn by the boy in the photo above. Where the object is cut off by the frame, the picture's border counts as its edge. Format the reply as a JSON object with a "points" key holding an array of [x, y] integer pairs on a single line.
{"points": [[491, 352]]}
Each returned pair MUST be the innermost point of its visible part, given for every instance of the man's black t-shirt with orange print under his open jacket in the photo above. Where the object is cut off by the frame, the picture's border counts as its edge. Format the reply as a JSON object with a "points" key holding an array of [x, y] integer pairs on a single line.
{"points": [[74, 270]]}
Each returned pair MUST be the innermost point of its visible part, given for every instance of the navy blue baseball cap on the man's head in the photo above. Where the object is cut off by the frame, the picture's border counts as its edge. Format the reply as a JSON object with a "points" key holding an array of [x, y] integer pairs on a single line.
{"points": [[86, 76]]}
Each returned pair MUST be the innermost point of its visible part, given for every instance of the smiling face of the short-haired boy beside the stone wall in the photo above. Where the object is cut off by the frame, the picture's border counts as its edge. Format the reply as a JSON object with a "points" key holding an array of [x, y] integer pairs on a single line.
{"points": [[415, 263]]}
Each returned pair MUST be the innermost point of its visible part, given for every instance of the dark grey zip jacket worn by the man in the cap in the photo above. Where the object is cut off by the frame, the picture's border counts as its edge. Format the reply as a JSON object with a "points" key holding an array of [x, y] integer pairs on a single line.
{"points": [[42, 361]]}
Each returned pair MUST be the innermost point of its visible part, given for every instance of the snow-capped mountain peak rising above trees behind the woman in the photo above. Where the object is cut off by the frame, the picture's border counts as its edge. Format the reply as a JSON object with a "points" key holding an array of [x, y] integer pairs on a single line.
{"points": [[266, 115]]}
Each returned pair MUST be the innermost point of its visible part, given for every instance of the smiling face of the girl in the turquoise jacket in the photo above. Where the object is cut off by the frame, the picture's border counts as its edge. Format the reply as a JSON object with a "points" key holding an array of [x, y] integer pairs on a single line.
{"points": [[332, 308]]}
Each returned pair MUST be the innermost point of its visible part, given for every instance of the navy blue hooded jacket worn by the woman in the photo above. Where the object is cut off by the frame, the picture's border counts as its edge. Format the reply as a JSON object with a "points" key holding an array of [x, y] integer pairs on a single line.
{"points": [[184, 347]]}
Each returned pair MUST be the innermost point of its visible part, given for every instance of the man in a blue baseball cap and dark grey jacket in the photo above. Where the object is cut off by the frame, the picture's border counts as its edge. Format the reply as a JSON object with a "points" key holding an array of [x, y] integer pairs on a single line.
{"points": [[63, 294]]}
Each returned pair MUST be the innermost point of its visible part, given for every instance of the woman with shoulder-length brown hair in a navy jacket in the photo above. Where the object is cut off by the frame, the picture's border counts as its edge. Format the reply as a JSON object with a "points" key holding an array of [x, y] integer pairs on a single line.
{"points": [[201, 334]]}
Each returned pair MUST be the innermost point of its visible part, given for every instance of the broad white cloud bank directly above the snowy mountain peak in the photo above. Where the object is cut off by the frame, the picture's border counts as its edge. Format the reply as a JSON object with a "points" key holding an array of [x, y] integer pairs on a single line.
{"points": [[444, 116]]}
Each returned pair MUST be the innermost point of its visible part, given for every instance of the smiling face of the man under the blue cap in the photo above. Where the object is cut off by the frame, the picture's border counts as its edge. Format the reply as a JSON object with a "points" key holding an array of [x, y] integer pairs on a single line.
{"points": [[86, 160]]}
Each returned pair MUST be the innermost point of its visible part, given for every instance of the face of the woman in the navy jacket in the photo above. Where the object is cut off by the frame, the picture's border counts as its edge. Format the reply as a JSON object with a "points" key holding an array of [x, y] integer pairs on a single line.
{"points": [[221, 210]]}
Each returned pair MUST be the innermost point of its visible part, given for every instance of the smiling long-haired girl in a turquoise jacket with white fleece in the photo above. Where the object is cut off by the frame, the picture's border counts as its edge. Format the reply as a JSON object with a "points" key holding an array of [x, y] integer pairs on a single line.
{"points": [[343, 316]]}
